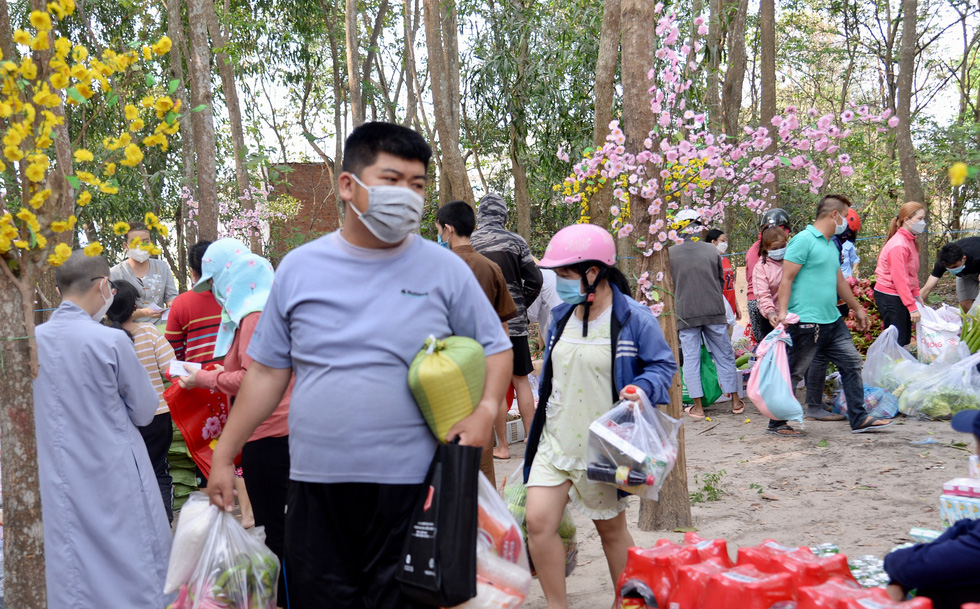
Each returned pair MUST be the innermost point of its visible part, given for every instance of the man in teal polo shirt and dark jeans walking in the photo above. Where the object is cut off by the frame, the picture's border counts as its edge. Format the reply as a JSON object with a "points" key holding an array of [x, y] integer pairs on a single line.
{"points": [[811, 284]]}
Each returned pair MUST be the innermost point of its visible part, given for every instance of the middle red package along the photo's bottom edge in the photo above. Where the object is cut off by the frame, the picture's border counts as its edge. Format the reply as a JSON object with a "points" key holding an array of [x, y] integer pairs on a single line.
{"points": [[746, 587]]}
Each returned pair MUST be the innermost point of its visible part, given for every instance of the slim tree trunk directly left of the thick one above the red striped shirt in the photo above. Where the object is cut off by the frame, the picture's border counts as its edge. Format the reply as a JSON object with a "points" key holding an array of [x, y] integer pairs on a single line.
{"points": [[187, 233]]}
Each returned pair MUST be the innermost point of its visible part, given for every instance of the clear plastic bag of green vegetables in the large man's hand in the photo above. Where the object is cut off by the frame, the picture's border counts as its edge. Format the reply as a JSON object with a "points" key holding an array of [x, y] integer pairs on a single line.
{"points": [[234, 568]]}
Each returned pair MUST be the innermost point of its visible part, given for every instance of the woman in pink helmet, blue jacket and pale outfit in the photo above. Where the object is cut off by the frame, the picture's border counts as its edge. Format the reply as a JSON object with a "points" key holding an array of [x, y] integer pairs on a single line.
{"points": [[600, 342]]}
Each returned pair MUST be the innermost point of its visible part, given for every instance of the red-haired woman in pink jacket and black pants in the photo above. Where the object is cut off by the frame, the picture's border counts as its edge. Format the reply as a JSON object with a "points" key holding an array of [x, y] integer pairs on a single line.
{"points": [[897, 287]]}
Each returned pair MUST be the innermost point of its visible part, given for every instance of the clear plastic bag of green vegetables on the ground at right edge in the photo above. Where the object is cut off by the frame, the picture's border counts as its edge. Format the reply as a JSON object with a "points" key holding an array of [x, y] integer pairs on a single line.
{"points": [[948, 388]]}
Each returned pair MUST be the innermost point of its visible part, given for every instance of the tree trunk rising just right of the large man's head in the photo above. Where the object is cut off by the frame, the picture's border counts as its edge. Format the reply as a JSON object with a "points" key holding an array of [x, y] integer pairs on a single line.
{"points": [[443, 57]]}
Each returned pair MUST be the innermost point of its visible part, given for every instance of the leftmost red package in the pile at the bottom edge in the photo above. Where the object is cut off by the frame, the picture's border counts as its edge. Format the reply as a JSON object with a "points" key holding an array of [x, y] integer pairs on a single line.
{"points": [[651, 573]]}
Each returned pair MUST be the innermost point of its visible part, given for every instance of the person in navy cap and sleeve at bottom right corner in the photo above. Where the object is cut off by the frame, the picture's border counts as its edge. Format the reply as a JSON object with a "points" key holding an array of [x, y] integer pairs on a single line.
{"points": [[945, 570]]}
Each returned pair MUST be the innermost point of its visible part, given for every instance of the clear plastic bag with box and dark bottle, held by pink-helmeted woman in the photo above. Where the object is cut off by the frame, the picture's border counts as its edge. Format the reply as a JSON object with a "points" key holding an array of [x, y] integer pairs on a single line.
{"points": [[633, 447]]}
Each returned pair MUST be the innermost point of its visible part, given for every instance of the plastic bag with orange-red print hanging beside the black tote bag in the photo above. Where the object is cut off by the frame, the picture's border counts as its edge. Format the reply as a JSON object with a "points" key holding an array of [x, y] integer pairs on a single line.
{"points": [[503, 577]]}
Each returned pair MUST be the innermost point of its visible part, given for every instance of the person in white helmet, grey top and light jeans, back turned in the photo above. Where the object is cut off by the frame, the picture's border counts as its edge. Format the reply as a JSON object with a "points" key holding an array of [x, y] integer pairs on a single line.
{"points": [[699, 304]]}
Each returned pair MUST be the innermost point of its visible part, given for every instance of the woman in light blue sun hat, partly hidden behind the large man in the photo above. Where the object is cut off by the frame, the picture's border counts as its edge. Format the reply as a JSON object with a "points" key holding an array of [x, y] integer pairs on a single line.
{"points": [[241, 281]]}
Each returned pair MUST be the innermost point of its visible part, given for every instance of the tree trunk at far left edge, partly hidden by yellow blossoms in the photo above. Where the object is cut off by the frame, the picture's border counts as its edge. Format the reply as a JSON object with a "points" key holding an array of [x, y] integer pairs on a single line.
{"points": [[24, 578]]}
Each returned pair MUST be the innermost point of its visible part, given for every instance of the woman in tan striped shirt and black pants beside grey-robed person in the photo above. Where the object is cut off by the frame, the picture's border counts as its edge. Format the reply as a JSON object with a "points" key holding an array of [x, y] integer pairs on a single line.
{"points": [[155, 354]]}
